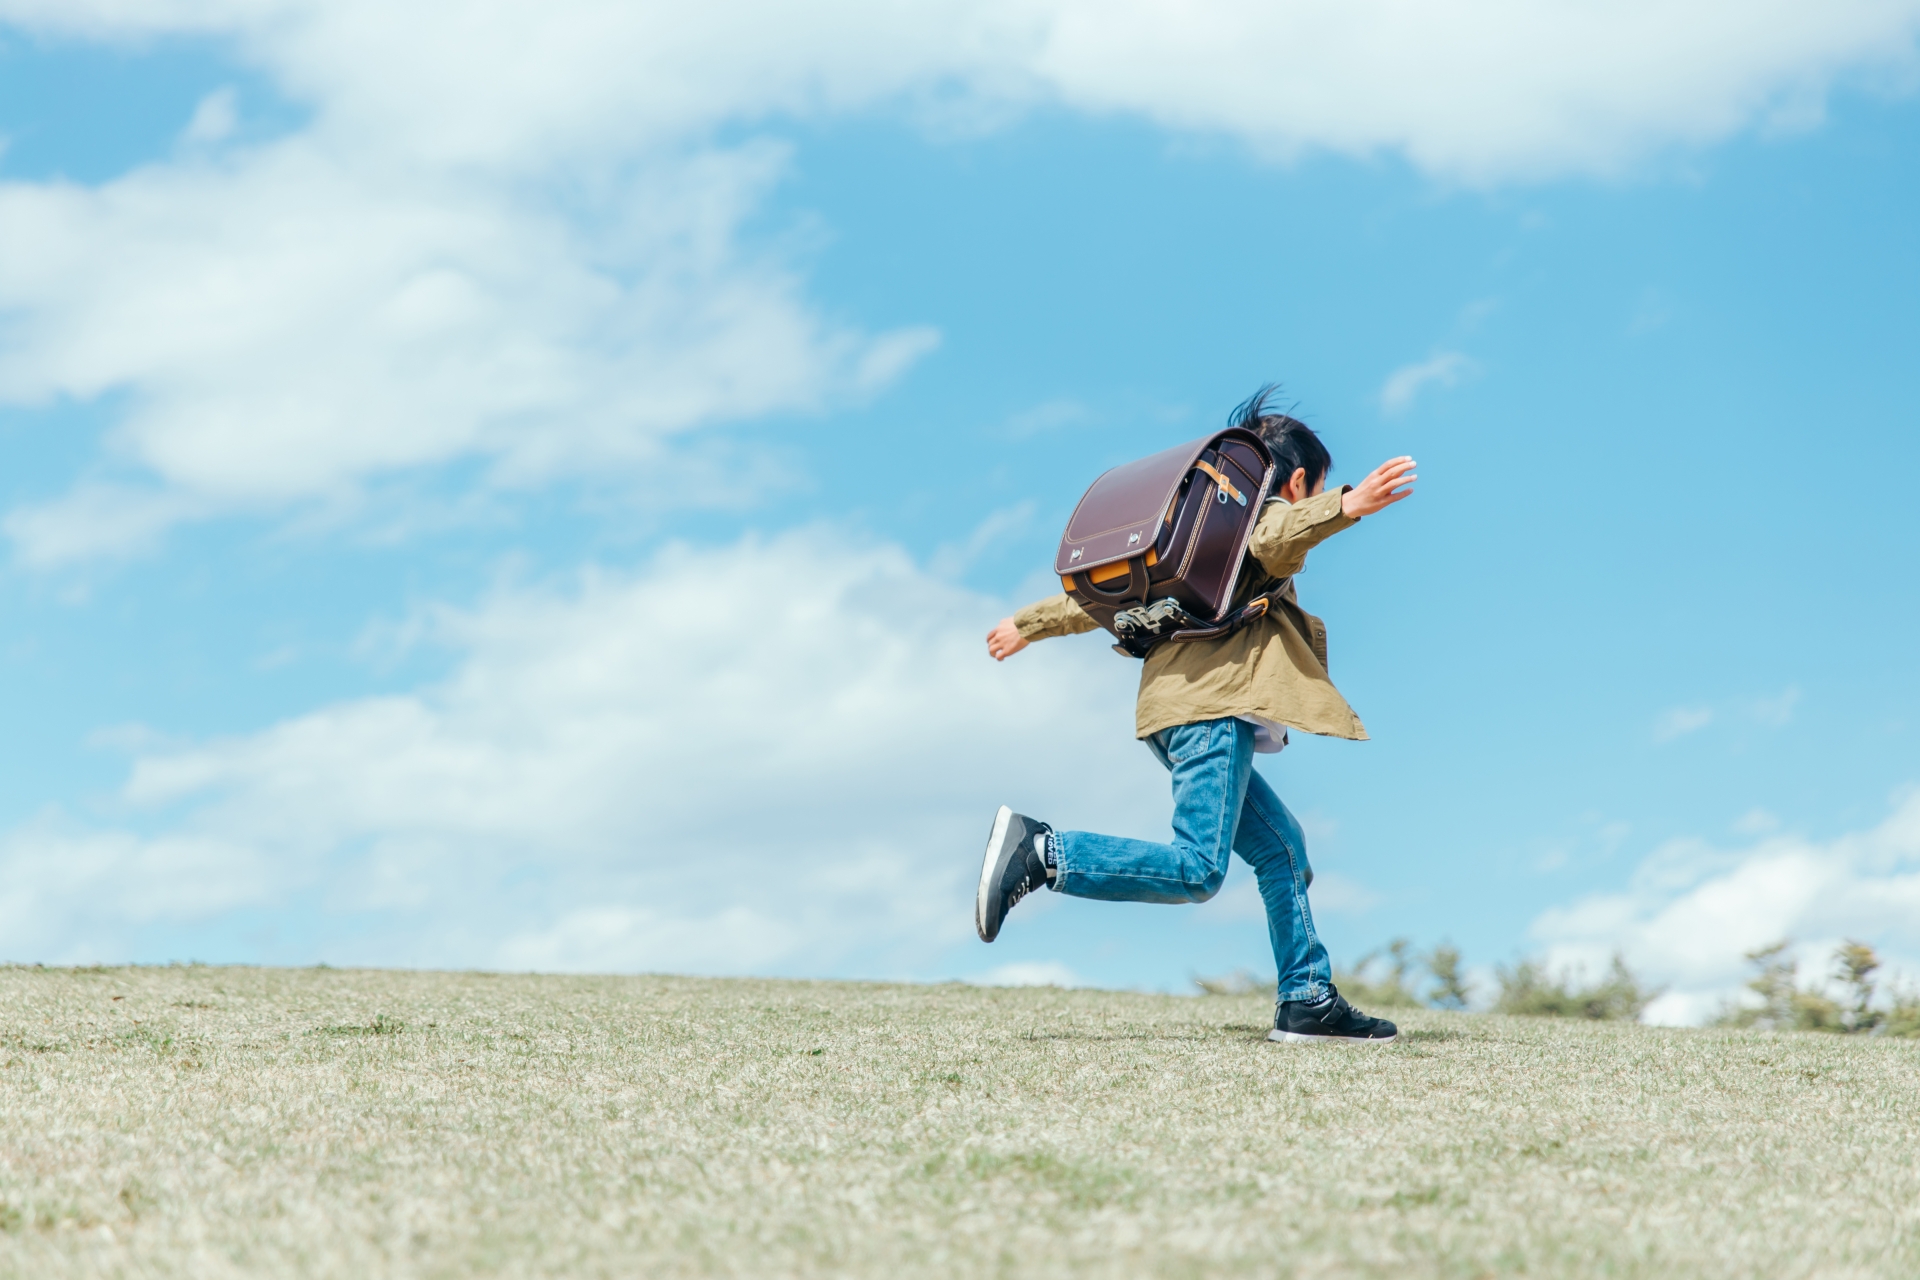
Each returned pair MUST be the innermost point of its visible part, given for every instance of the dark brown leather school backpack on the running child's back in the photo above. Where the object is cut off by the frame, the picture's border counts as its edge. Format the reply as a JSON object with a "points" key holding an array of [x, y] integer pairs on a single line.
{"points": [[1155, 548]]}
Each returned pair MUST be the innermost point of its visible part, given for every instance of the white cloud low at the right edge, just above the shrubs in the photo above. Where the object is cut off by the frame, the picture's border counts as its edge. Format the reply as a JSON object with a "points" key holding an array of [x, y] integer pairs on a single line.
{"points": [[1692, 911]]}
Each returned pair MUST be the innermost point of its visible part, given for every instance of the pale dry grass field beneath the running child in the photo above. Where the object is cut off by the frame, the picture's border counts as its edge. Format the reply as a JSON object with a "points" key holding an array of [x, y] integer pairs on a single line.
{"points": [[199, 1122]]}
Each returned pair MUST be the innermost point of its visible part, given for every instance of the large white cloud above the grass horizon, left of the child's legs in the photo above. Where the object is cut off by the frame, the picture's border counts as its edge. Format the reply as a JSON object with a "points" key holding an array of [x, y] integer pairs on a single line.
{"points": [[773, 757]]}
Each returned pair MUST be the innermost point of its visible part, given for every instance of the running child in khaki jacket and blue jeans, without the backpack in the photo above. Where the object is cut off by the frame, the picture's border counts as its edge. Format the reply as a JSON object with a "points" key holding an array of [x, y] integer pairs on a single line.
{"points": [[1205, 711]]}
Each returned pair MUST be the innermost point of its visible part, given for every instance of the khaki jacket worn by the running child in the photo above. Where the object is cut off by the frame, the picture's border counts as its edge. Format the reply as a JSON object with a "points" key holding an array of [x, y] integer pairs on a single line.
{"points": [[1274, 669]]}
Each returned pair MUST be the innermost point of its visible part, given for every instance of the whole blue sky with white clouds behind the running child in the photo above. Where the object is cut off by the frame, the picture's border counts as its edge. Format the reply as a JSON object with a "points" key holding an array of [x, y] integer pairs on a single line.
{"points": [[564, 540]]}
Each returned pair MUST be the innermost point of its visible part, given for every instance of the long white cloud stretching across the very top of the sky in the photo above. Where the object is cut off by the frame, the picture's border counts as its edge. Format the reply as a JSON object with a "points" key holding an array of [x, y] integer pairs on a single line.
{"points": [[1477, 89]]}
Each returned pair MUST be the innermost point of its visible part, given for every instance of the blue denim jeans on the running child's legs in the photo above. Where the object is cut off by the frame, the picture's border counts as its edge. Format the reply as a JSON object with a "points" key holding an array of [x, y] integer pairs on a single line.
{"points": [[1220, 807]]}
